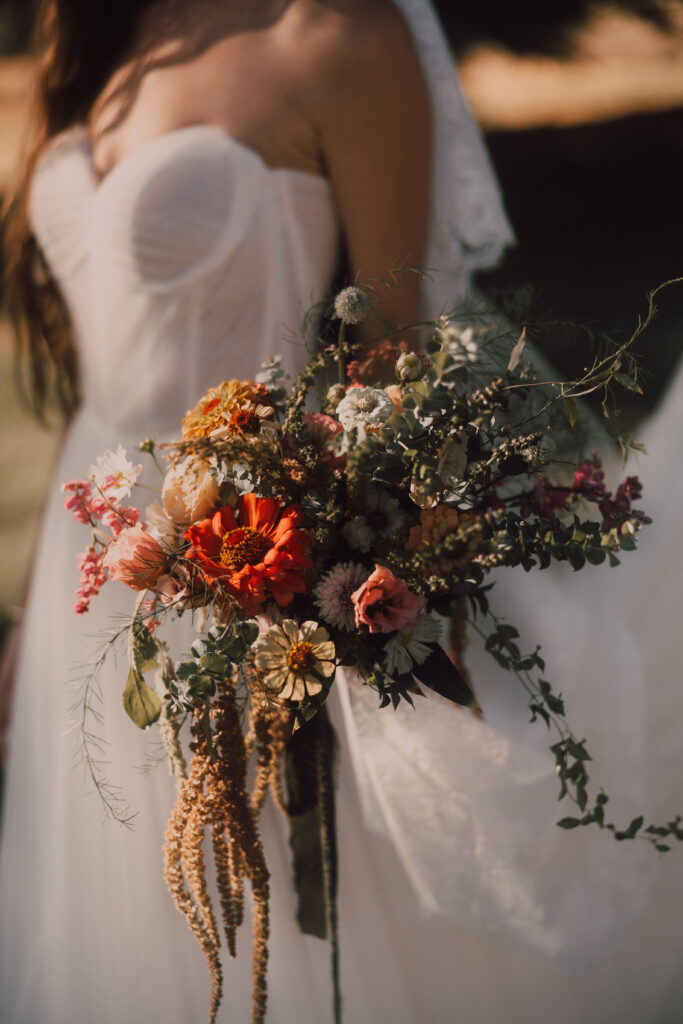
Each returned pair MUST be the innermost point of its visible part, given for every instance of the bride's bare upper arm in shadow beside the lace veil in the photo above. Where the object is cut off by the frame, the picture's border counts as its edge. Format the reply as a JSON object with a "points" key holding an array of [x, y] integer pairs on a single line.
{"points": [[374, 116]]}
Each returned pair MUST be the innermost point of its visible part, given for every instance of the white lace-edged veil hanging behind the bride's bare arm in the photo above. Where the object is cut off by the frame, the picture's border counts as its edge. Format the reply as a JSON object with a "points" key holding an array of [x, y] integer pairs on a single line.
{"points": [[469, 228]]}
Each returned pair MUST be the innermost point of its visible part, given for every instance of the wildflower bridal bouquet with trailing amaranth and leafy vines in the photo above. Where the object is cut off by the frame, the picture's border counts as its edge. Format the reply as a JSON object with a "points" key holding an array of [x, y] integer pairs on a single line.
{"points": [[311, 527]]}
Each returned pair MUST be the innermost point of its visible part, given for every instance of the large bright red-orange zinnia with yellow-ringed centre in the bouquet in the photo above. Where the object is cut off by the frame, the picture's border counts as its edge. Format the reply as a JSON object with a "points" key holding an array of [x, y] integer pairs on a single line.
{"points": [[258, 553]]}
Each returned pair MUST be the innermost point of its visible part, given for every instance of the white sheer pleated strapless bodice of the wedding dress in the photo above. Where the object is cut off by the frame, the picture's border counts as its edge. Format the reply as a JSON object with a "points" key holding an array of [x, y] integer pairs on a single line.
{"points": [[191, 263]]}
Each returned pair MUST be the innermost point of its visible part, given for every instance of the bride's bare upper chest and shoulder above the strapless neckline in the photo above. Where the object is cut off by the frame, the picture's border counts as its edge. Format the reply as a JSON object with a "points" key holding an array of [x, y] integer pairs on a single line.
{"points": [[270, 87]]}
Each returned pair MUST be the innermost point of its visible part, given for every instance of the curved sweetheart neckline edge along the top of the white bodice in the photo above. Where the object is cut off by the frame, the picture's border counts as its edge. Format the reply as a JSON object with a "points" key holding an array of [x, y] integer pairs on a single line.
{"points": [[79, 134]]}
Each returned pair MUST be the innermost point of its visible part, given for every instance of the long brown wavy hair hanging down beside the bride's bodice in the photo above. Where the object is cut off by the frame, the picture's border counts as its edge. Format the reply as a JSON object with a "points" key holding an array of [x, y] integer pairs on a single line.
{"points": [[80, 45]]}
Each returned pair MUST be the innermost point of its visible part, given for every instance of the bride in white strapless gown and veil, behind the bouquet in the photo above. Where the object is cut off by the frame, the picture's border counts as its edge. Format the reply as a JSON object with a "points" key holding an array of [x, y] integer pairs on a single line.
{"points": [[202, 174]]}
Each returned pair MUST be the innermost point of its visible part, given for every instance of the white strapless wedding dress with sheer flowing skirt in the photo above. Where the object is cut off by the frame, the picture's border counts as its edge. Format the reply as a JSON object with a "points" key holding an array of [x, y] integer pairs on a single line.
{"points": [[460, 901]]}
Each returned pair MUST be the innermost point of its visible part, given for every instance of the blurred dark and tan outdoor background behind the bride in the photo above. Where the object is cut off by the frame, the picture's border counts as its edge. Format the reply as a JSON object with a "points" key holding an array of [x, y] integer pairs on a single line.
{"points": [[582, 106]]}
